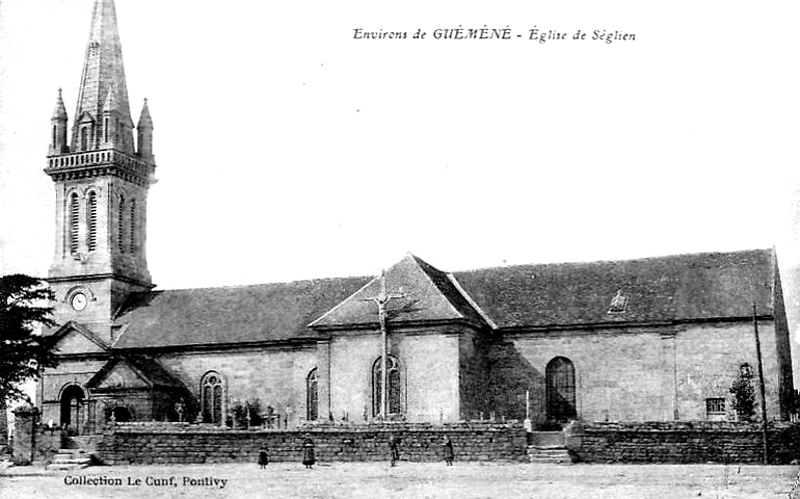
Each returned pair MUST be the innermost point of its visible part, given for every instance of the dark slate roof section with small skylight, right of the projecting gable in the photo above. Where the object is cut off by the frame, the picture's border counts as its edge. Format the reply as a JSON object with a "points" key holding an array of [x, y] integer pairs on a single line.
{"points": [[671, 288]]}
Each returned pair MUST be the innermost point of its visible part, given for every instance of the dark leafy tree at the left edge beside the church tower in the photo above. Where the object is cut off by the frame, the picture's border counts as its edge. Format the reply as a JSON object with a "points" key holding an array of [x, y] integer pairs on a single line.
{"points": [[24, 352]]}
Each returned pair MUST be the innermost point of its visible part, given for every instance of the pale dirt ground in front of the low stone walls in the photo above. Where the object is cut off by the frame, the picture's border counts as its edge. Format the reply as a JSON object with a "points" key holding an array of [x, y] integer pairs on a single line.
{"points": [[407, 480]]}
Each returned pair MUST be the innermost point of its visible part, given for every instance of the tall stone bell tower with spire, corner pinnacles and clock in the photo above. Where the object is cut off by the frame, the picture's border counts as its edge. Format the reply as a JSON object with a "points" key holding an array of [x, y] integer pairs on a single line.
{"points": [[101, 180]]}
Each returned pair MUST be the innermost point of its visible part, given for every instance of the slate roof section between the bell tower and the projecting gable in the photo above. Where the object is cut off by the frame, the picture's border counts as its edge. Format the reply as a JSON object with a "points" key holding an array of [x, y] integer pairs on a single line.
{"points": [[241, 314]]}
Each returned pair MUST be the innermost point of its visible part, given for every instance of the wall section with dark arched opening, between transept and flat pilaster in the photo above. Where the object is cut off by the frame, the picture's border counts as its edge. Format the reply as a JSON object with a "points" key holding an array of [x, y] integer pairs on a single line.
{"points": [[618, 374]]}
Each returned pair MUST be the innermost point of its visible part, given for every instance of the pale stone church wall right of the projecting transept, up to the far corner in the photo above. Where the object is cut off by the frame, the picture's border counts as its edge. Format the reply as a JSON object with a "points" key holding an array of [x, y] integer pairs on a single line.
{"points": [[685, 365]]}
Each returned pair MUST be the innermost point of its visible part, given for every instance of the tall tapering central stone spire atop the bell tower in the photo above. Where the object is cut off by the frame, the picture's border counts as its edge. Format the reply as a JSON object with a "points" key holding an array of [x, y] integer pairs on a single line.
{"points": [[103, 71]]}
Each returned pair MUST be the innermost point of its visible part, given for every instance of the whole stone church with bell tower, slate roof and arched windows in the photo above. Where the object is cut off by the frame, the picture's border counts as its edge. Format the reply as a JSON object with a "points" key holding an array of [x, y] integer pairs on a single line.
{"points": [[650, 339]]}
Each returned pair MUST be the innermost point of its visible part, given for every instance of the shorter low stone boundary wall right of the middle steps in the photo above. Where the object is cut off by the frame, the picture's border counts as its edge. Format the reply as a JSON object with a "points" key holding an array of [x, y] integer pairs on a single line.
{"points": [[684, 442]]}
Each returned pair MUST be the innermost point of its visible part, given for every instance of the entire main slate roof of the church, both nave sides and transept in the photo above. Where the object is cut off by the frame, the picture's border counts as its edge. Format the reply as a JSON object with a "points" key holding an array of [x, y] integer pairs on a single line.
{"points": [[706, 286]]}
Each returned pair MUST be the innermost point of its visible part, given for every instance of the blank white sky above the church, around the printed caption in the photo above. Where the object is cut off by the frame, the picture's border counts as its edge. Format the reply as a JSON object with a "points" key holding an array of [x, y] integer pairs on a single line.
{"points": [[287, 149]]}
